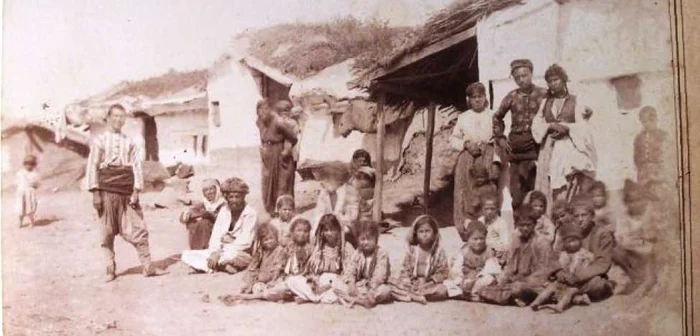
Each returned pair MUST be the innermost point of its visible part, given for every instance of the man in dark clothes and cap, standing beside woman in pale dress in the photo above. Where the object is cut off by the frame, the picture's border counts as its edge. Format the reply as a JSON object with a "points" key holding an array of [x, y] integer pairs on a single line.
{"points": [[520, 147]]}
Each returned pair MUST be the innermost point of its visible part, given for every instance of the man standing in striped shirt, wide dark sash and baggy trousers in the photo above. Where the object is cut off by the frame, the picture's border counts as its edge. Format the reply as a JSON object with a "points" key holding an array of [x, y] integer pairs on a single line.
{"points": [[115, 178]]}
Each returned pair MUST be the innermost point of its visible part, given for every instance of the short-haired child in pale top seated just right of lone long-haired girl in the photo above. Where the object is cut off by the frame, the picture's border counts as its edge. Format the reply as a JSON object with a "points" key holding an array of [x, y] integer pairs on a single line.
{"points": [[476, 265]]}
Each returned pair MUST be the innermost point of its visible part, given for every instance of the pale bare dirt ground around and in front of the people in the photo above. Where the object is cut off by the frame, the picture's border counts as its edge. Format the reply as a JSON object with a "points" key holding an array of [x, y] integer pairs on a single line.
{"points": [[52, 286]]}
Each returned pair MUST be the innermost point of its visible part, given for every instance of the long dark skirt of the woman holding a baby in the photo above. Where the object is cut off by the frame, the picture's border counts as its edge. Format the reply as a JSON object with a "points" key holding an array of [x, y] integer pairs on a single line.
{"points": [[277, 174]]}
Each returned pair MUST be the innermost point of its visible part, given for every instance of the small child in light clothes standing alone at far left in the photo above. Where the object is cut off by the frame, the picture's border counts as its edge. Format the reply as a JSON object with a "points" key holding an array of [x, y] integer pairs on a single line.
{"points": [[27, 183]]}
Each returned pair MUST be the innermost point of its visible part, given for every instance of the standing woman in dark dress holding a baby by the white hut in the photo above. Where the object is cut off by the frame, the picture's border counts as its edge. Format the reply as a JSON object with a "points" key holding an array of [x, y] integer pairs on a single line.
{"points": [[277, 161]]}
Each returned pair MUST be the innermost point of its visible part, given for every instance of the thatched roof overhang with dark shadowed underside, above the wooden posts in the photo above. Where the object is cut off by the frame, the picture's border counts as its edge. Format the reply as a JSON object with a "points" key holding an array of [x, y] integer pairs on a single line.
{"points": [[439, 63]]}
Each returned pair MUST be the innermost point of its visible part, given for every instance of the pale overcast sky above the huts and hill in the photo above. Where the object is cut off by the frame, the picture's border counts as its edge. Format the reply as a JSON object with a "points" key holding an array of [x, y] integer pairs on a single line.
{"points": [[60, 51]]}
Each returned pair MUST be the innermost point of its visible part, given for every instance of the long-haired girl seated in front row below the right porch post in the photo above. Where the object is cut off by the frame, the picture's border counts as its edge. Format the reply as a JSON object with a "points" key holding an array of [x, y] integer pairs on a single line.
{"points": [[425, 266]]}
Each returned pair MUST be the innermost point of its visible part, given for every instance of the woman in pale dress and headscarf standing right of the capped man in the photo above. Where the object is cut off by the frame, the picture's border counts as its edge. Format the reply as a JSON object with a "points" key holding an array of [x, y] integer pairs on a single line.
{"points": [[567, 160]]}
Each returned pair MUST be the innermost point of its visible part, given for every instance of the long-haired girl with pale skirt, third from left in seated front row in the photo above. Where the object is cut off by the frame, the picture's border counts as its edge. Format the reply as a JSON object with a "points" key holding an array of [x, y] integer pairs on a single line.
{"points": [[329, 258]]}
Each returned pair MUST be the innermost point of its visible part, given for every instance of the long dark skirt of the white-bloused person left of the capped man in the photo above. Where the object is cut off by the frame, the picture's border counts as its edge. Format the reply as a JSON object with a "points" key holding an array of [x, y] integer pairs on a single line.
{"points": [[463, 184]]}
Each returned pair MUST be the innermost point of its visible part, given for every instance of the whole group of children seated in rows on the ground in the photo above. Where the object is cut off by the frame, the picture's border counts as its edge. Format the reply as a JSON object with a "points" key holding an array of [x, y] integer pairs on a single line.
{"points": [[293, 261]]}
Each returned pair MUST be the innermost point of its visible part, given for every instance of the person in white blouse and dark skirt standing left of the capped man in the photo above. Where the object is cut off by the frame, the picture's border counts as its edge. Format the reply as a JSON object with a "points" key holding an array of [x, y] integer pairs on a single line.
{"points": [[471, 136]]}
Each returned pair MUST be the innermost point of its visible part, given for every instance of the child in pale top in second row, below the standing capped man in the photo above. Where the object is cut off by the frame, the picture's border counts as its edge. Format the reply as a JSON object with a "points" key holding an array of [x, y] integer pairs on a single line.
{"points": [[499, 232]]}
